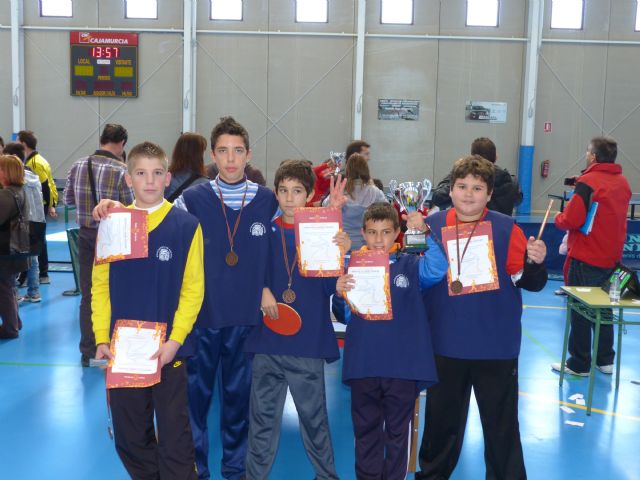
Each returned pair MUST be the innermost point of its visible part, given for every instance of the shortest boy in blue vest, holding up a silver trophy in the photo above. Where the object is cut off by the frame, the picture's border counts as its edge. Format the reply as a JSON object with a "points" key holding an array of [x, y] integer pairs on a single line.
{"points": [[388, 362]]}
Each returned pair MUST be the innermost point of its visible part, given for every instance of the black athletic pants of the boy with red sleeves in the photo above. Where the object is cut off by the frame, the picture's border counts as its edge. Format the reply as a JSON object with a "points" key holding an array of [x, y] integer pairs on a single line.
{"points": [[495, 385]]}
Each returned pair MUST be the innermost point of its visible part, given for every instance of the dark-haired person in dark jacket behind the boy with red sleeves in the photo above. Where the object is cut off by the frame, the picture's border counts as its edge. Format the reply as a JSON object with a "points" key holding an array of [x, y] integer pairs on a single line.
{"points": [[506, 192]]}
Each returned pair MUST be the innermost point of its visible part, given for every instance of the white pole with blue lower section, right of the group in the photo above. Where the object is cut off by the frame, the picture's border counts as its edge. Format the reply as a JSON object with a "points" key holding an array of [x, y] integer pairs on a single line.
{"points": [[525, 162]]}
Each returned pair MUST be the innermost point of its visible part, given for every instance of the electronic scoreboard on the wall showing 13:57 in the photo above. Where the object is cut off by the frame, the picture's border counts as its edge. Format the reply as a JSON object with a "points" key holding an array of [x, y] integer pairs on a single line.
{"points": [[104, 64]]}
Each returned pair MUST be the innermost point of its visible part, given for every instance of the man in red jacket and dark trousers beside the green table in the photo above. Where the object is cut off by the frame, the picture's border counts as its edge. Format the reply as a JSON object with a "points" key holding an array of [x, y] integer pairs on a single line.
{"points": [[592, 257]]}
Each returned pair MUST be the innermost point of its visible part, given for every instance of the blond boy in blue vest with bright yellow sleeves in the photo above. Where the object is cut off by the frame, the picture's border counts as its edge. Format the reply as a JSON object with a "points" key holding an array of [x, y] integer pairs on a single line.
{"points": [[167, 286]]}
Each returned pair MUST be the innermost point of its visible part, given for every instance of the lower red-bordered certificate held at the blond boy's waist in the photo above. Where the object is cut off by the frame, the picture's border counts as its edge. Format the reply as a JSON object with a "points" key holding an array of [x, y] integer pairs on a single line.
{"points": [[132, 344]]}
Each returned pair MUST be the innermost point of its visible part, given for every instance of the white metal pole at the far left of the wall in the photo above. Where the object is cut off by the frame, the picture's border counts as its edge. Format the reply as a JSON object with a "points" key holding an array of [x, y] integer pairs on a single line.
{"points": [[17, 67]]}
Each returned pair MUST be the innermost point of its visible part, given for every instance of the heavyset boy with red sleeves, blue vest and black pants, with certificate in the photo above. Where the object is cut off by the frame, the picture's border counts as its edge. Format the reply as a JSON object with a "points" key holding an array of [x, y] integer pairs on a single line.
{"points": [[475, 323]]}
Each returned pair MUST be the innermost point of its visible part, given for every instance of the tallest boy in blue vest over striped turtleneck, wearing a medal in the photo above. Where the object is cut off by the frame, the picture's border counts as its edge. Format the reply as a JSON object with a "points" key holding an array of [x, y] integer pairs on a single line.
{"points": [[235, 215]]}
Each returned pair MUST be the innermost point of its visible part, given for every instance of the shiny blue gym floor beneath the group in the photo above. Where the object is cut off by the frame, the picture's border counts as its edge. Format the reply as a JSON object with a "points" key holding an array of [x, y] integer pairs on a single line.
{"points": [[54, 418]]}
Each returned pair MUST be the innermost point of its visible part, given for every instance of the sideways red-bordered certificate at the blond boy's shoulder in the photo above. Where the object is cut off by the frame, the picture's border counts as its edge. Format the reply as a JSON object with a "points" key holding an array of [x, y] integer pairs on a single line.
{"points": [[124, 234]]}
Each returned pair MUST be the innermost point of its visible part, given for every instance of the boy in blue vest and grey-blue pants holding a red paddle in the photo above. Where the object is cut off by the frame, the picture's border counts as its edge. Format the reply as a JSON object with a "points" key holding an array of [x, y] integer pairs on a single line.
{"points": [[294, 361]]}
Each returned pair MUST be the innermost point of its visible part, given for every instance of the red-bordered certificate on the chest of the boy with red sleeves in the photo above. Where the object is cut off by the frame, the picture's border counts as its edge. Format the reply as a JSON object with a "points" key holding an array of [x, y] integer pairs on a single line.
{"points": [[478, 271]]}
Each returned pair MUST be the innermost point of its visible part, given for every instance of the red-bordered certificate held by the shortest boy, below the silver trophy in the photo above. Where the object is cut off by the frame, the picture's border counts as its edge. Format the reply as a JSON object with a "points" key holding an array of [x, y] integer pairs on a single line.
{"points": [[371, 296]]}
